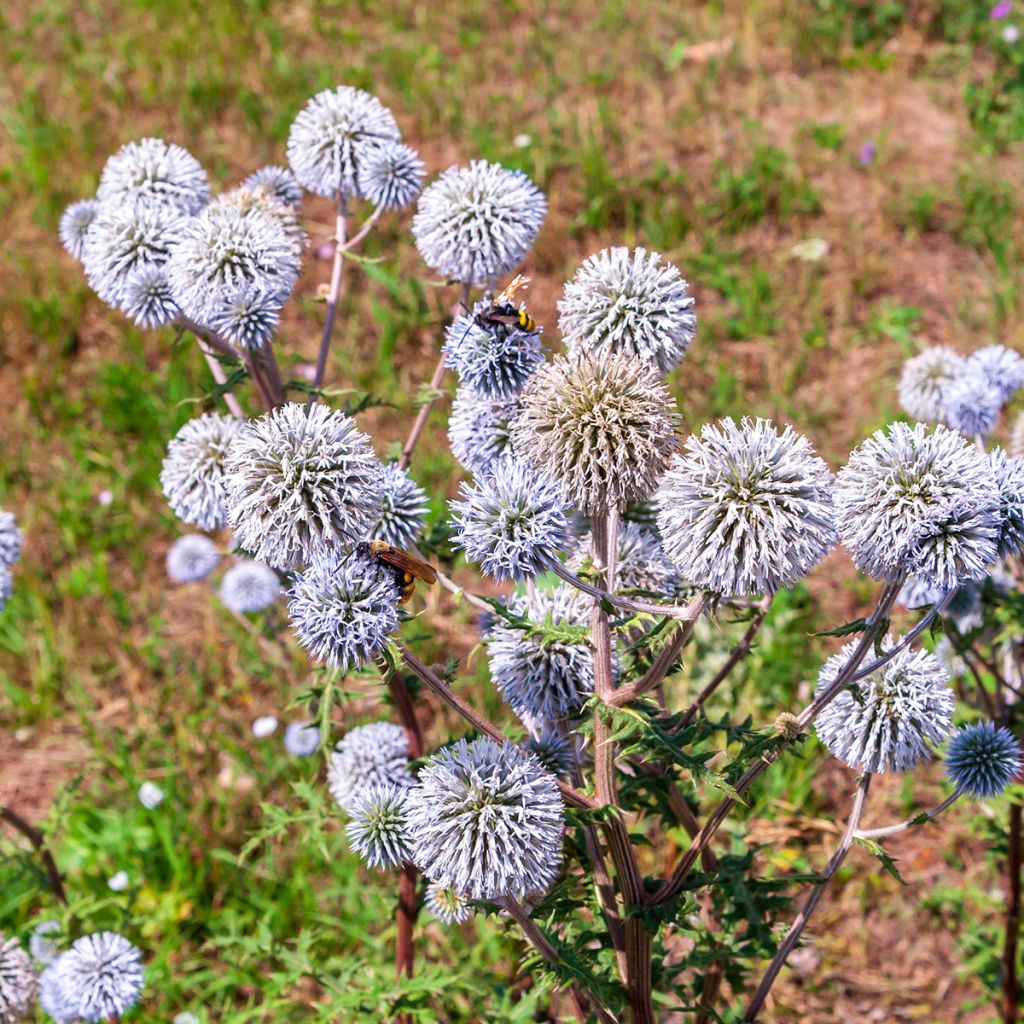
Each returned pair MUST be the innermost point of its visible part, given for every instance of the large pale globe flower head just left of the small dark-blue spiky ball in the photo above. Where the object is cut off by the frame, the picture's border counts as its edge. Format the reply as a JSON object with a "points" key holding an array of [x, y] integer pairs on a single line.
{"points": [[890, 720]]}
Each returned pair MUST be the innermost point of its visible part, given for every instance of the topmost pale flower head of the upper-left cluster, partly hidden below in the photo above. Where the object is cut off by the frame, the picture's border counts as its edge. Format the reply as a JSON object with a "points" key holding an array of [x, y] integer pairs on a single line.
{"points": [[153, 174]]}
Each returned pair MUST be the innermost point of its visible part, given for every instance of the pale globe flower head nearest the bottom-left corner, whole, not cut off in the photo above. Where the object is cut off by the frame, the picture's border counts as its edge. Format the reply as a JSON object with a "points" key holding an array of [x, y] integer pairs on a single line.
{"points": [[101, 976]]}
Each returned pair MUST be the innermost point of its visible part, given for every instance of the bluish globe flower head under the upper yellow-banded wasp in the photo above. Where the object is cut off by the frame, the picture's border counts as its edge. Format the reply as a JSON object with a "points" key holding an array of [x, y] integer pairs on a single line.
{"points": [[495, 361]]}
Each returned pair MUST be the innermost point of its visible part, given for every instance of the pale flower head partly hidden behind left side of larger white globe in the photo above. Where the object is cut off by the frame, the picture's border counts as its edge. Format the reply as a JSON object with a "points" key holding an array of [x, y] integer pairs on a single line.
{"points": [[193, 474]]}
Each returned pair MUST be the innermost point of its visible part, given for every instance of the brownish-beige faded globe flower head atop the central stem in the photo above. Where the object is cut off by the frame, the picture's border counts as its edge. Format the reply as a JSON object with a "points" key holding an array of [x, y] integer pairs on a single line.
{"points": [[604, 428]]}
